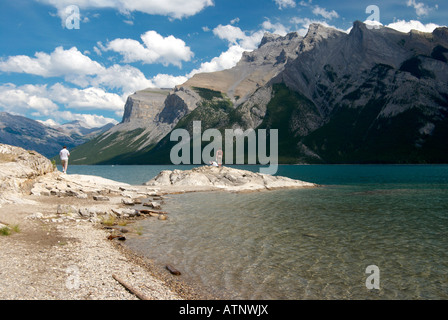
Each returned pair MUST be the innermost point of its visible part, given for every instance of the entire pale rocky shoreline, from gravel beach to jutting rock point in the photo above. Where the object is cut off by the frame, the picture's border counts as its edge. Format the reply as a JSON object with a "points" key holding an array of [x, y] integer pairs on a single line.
{"points": [[63, 234]]}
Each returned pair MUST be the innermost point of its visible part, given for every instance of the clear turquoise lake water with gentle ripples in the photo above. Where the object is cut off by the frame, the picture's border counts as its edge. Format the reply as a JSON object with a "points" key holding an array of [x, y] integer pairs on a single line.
{"points": [[310, 243]]}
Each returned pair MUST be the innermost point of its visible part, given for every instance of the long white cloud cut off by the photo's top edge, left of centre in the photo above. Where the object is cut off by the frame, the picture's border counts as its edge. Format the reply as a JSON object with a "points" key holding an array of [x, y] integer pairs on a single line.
{"points": [[173, 8]]}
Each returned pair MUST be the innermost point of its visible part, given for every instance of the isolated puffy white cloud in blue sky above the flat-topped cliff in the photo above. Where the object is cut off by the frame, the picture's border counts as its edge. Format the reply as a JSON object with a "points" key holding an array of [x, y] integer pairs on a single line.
{"points": [[154, 49]]}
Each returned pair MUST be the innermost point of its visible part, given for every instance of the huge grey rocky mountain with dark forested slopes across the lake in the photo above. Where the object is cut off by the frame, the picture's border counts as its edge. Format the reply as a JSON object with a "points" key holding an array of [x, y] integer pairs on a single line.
{"points": [[370, 96]]}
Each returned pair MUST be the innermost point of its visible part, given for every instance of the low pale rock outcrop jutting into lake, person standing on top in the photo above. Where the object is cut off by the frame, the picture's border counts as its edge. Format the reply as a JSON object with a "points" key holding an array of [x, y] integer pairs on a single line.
{"points": [[222, 178]]}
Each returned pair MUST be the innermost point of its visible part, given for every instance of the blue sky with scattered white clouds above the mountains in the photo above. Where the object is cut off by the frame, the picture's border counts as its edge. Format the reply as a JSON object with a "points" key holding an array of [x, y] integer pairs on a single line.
{"points": [[66, 60]]}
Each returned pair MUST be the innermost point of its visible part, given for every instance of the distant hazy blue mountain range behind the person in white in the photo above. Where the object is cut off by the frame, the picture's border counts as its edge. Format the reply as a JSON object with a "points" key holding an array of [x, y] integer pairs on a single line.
{"points": [[32, 135]]}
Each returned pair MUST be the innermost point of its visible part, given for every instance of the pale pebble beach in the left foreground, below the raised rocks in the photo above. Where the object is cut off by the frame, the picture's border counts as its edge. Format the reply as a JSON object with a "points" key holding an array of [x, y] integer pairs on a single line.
{"points": [[64, 239]]}
